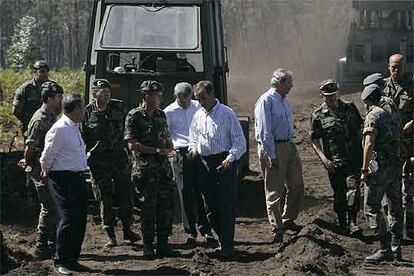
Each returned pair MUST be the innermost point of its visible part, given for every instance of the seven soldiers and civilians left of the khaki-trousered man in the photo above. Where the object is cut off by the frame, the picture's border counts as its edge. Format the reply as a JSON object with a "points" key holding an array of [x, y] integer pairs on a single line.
{"points": [[199, 154]]}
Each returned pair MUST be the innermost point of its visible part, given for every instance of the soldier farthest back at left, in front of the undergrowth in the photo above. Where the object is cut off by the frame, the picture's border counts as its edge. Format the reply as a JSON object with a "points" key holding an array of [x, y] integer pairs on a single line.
{"points": [[27, 100]]}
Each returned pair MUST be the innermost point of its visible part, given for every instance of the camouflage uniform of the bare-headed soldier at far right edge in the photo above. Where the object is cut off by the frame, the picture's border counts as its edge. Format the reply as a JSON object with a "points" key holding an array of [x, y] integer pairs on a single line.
{"points": [[402, 95]]}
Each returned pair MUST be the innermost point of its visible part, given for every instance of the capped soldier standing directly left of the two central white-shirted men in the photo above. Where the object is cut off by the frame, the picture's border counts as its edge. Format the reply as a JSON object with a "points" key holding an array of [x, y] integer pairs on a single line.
{"points": [[148, 137]]}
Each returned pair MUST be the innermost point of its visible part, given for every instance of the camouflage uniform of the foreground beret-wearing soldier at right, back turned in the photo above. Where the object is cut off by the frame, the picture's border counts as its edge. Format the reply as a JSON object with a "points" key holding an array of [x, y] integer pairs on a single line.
{"points": [[386, 179]]}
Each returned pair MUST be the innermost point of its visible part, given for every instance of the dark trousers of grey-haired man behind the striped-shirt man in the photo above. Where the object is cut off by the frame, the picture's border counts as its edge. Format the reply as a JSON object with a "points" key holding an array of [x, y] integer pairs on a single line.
{"points": [[188, 185]]}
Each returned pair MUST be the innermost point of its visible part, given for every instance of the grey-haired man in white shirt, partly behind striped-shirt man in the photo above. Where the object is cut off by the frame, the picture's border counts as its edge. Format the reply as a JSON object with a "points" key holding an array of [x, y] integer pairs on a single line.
{"points": [[179, 115]]}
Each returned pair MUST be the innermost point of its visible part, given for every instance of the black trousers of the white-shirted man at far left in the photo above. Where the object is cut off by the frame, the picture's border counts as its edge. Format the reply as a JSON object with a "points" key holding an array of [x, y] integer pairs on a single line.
{"points": [[69, 191]]}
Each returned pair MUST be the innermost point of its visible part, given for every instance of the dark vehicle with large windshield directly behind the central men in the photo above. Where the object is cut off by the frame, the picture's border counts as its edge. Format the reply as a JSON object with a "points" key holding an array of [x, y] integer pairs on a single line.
{"points": [[169, 41]]}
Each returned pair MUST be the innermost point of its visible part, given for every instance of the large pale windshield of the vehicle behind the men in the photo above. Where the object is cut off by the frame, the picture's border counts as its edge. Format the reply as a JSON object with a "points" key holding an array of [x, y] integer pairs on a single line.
{"points": [[144, 27]]}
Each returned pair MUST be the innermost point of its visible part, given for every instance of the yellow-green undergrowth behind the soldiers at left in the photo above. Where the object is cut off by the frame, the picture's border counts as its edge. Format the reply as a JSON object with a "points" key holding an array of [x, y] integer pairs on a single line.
{"points": [[71, 81]]}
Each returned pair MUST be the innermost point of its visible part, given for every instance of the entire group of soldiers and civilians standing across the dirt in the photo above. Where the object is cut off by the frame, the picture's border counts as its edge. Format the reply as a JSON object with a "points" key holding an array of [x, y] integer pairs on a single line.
{"points": [[196, 144]]}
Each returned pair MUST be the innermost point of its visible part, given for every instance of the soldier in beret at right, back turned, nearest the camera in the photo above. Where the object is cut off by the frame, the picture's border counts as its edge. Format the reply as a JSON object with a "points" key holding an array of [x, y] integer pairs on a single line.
{"points": [[380, 174]]}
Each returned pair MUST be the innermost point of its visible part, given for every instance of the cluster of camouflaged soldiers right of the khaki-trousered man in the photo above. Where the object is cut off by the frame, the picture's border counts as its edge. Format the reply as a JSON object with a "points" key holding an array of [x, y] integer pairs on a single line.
{"points": [[374, 153]]}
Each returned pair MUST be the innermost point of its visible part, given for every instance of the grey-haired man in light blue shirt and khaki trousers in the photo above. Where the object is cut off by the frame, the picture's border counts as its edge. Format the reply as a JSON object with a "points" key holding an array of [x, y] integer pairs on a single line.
{"points": [[279, 158]]}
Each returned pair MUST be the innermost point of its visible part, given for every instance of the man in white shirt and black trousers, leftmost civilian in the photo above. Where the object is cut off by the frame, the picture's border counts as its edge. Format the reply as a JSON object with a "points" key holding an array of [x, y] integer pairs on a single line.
{"points": [[63, 161]]}
